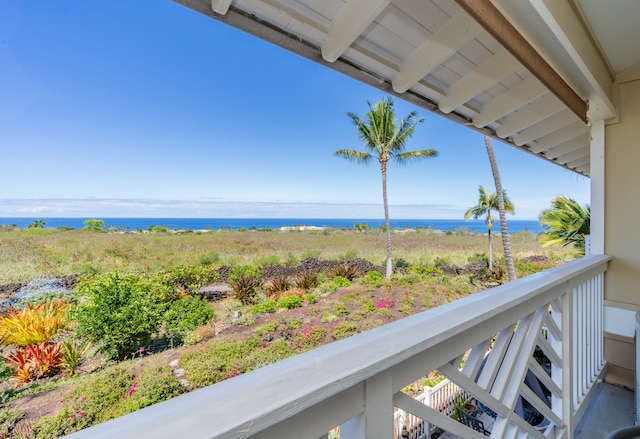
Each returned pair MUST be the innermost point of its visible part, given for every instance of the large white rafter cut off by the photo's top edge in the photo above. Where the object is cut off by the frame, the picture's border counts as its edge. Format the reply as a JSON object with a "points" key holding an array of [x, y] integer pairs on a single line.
{"points": [[354, 18]]}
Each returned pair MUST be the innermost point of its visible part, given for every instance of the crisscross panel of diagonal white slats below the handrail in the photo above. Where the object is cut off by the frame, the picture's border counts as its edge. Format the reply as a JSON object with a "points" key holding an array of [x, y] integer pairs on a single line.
{"points": [[504, 373]]}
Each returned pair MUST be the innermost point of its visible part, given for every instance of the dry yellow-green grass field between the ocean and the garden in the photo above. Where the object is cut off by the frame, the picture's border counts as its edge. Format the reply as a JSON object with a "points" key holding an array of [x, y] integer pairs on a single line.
{"points": [[32, 253]]}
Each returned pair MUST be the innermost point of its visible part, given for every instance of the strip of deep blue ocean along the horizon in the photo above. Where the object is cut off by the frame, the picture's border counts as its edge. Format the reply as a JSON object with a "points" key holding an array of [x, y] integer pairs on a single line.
{"points": [[133, 224]]}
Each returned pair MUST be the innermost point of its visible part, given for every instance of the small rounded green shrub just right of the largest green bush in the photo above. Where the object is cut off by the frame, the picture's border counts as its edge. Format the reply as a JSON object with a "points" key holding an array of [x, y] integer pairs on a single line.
{"points": [[186, 314]]}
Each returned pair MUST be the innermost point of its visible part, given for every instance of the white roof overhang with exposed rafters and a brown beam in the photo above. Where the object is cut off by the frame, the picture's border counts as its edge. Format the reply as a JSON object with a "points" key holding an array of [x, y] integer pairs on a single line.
{"points": [[472, 61]]}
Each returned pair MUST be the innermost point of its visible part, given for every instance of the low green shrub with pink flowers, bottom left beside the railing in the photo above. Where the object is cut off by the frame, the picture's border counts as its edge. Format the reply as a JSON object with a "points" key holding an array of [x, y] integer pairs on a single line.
{"points": [[114, 393]]}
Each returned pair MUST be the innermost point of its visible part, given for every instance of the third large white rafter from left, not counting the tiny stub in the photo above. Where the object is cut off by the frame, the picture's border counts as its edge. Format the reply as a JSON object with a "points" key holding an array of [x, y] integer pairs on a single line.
{"points": [[478, 80]]}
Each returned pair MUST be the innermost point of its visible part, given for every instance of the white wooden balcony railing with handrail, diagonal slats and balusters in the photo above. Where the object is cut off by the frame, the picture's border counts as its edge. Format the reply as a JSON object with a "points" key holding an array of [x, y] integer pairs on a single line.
{"points": [[356, 382]]}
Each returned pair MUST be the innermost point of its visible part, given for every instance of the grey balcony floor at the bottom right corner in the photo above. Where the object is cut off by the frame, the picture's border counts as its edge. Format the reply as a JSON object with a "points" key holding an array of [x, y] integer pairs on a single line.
{"points": [[611, 408]]}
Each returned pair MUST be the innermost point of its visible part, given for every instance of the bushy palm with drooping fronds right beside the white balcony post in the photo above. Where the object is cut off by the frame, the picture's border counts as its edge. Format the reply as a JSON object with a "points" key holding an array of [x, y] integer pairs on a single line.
{"points": [[567, 223]]}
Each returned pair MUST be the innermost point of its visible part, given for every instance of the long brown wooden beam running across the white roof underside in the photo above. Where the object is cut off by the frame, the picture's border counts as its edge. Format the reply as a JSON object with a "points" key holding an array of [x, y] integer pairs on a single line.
{"points": [[492, 20]]}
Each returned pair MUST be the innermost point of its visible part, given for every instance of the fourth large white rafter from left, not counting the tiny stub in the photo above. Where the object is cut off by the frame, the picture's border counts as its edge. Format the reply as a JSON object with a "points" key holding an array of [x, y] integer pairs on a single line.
{"points": [[512, 99]]}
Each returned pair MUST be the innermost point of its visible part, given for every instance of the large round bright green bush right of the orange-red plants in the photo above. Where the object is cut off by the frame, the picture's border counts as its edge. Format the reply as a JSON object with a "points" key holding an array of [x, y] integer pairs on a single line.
{"points": [[121, 312]]}
